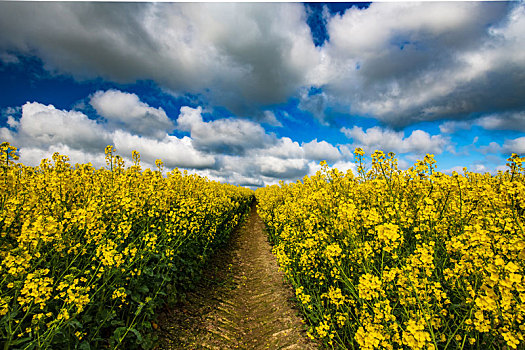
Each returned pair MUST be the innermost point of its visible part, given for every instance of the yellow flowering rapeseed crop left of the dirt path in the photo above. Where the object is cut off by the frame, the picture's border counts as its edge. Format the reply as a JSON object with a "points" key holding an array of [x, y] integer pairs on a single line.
{"points": [[87, 255]]}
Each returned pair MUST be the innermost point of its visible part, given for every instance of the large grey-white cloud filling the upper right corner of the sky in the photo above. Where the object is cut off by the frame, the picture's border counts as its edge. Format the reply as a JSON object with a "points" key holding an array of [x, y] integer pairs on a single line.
{"points": [[407, 62]]}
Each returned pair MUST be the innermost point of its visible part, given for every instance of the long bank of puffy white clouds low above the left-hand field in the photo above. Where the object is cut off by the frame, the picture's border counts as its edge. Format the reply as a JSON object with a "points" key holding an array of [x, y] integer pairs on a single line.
{"points": [[230, 149]]}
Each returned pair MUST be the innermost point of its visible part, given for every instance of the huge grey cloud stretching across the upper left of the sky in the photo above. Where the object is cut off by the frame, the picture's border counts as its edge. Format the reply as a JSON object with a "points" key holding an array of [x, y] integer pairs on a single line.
{"points": [[193, 48]]}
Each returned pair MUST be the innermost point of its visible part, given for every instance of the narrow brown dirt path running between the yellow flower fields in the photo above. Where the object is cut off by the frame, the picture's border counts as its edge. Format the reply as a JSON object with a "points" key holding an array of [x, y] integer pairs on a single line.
{"points": [[242, 302]]}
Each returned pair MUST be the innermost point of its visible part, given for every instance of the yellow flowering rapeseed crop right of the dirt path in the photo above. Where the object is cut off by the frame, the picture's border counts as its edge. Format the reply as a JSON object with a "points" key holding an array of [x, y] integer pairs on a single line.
{"points": [[416, 259]]}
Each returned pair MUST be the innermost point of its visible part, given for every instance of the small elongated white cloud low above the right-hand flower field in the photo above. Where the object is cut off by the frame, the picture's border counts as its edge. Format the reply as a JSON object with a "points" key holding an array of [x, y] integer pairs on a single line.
{"points": [[386, 140]]}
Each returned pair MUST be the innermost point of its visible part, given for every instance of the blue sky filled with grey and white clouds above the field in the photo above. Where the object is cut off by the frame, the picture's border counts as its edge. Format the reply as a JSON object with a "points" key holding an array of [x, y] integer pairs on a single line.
{"points": [[252, 93]]}
